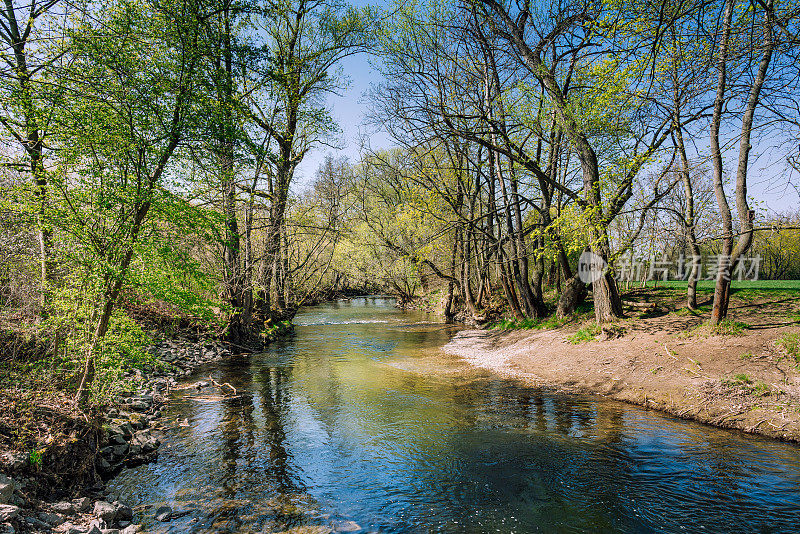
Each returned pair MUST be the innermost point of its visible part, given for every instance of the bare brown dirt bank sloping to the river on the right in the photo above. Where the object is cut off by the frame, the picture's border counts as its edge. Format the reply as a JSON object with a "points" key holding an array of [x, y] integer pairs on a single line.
{"points": [[667, 361]]}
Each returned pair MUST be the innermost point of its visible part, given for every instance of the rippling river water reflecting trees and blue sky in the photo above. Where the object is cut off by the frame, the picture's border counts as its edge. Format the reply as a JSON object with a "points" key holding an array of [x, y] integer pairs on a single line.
{"points": [[346, 421]]}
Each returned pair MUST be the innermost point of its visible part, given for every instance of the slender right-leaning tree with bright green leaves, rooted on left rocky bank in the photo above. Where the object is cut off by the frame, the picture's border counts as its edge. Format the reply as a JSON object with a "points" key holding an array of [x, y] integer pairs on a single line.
{"points": [[132, 82]]}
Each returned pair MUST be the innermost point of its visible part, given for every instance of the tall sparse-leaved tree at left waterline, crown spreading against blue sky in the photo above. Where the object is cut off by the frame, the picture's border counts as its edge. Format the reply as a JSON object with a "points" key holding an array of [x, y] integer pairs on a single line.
{"points": [[304, 41]]}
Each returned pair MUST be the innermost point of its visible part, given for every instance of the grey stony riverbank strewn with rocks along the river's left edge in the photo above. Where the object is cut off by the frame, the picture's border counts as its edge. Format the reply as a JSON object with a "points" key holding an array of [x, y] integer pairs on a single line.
{"points": [[126, 435]]}
